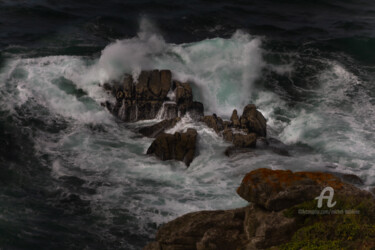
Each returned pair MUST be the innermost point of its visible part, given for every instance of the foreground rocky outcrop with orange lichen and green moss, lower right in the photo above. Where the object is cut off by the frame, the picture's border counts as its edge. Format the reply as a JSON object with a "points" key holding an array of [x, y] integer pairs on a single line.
{"points": [[274, 219]]}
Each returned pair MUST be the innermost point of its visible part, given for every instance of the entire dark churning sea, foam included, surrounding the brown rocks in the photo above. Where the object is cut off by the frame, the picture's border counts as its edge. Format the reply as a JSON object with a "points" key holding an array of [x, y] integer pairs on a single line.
{"points": [[73, 177]]}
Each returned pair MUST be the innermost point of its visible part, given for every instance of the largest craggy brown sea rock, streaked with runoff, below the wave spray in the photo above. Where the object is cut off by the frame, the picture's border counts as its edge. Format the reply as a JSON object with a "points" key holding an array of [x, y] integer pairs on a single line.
{"points": [[143, 98]]}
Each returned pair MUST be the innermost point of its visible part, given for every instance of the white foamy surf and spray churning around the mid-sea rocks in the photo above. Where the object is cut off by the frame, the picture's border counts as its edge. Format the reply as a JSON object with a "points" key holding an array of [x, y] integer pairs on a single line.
{"points": [[332, 128]]}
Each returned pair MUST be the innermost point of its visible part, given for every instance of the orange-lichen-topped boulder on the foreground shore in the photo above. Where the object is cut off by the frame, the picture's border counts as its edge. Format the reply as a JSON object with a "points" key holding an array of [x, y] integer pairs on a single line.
{"points": [[279, 189]]}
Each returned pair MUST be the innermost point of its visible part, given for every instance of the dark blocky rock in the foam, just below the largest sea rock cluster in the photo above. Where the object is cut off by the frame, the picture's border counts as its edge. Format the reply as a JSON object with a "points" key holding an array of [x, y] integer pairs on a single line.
{"points": [[179, 146]]}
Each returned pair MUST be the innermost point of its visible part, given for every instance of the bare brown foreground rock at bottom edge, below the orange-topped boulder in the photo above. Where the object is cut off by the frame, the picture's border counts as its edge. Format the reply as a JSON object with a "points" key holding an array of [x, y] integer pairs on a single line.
{"points": [[245, 228]]}
